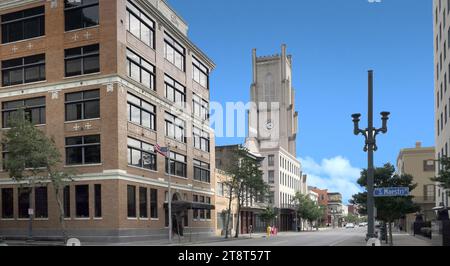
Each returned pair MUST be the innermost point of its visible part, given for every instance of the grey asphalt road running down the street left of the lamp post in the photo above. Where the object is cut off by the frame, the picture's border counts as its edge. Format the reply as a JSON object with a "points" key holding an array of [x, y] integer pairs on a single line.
{"points": [[330, 237]]}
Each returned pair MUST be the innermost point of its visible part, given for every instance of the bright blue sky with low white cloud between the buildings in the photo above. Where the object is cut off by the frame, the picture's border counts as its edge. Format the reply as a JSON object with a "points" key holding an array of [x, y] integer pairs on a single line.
{"points": [[333, 44]]}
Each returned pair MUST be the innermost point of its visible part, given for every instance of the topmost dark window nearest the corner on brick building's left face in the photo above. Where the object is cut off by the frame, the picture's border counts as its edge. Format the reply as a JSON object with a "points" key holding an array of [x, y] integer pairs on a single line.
{"points": [[80, 14]]}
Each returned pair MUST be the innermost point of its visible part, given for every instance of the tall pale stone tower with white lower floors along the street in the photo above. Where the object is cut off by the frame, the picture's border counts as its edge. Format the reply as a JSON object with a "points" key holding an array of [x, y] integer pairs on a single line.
{"points": [[272, 132]]}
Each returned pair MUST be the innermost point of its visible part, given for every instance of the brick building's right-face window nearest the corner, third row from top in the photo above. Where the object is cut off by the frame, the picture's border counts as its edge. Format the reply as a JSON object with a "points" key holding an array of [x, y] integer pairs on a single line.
{"points": [[141, 112]]}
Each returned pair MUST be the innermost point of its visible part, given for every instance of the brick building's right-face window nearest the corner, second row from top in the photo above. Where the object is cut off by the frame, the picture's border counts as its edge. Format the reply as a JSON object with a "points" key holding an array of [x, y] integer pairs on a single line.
{"points": [[140, 70]]}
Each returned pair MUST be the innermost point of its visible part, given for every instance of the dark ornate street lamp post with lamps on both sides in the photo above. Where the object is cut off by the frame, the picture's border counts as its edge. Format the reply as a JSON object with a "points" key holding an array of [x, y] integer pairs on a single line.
{"points": [[370, 134]]}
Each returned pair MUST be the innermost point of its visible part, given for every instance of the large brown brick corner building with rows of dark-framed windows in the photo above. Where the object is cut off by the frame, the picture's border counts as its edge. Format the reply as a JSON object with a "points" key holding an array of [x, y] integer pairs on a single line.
{"points": [[109, 79]]}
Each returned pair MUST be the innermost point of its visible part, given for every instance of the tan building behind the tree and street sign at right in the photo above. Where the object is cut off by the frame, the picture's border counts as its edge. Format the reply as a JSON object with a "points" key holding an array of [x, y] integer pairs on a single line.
{"points": [[419, 162]]}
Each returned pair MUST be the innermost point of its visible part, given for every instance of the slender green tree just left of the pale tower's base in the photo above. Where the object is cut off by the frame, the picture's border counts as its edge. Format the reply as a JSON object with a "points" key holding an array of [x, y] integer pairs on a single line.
{"points": [[246, 180]]}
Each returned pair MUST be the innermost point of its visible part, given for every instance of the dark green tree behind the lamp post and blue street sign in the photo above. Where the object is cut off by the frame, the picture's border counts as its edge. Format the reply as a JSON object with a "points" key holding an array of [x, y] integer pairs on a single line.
{"points": [[389, 209]]}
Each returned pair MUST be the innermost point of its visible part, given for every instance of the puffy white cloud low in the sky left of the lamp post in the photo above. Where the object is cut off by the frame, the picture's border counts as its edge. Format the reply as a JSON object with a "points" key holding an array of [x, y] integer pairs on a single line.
{"points": [[335, 174]]}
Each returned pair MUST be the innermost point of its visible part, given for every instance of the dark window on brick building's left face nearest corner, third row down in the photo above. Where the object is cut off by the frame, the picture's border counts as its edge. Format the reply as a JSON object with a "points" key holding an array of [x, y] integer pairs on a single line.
{"points": [[82, 105]]}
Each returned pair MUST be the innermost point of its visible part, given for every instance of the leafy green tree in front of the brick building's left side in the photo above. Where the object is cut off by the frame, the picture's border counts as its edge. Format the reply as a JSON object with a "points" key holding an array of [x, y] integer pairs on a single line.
{"points": [[33, 160]]}
